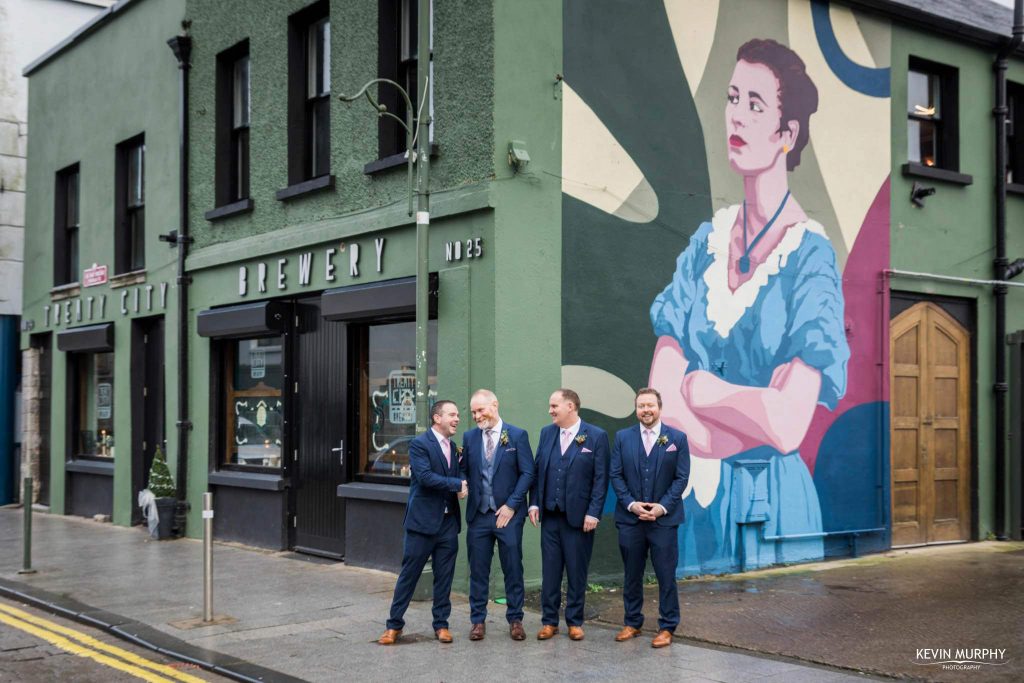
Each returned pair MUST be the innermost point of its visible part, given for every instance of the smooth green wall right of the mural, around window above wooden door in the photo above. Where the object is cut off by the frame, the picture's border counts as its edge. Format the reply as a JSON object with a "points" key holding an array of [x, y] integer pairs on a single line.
{"points": [[955, 233]]}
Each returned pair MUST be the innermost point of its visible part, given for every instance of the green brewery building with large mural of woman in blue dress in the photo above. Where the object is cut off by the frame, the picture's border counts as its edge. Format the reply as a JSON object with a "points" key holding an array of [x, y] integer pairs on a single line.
{"points": [[838, 393]]}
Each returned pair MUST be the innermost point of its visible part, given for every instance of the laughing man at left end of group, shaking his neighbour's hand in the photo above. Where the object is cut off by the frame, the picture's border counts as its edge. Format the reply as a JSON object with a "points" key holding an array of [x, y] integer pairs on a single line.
{"points": [[433, 522]]}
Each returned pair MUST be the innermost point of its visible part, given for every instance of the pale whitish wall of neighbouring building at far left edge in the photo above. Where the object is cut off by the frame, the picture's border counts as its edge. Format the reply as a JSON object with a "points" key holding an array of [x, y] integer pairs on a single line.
{"points": [[28, 29]]}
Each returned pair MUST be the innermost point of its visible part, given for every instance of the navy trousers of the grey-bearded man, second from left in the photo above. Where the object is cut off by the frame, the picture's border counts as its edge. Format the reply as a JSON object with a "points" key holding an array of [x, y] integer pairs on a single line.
{"points": [[482, 534]]}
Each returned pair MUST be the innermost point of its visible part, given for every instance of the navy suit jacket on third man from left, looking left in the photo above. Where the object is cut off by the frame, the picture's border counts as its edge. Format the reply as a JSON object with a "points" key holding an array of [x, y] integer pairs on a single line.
{"points": [[587, 479]]}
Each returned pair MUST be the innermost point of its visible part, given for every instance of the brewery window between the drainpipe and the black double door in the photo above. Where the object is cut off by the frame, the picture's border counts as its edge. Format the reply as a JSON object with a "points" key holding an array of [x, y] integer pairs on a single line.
{"points": [[254, 403]]}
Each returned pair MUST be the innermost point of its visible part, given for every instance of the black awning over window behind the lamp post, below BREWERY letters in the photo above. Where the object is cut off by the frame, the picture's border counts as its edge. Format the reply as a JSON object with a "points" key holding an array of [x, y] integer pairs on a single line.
{"points": [[392, 298]]}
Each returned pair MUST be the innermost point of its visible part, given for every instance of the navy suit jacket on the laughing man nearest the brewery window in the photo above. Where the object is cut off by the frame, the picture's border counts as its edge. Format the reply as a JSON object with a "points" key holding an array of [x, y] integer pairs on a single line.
{"points": [[435, 485]]}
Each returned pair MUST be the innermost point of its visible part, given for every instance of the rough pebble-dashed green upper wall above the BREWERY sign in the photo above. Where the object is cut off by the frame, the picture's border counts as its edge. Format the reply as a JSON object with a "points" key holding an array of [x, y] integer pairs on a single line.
{"points": [[463, 64]]}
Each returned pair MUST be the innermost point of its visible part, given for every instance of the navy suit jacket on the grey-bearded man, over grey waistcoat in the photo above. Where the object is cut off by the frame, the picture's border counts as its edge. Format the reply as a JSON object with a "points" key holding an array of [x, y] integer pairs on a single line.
{"points": [[514, 469]]}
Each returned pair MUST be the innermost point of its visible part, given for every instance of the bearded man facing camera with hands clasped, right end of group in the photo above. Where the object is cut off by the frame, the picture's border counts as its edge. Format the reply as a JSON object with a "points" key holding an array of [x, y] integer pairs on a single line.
{"points": [[651, 465]]}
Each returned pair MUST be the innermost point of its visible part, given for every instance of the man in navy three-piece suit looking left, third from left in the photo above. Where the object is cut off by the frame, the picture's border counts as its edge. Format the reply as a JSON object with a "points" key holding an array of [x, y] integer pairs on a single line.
{"points": [[568, 497]]}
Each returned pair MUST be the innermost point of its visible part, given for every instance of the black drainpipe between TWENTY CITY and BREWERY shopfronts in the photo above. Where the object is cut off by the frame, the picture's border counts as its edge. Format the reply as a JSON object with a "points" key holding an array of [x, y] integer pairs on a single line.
{"points": [[182, 47]]}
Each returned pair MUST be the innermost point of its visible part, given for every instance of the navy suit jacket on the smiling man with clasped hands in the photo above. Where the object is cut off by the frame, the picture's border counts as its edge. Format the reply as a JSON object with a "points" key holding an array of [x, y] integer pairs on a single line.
{"points": [[671, 475]]}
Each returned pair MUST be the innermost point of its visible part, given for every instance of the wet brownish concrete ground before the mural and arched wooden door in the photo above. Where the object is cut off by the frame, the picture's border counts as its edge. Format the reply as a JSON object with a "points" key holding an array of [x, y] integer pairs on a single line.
{"points": [[872, 614]]}
